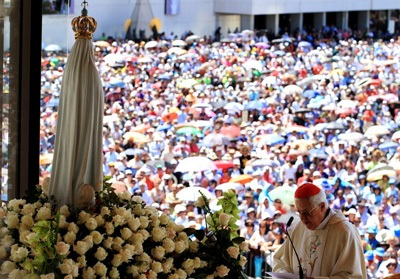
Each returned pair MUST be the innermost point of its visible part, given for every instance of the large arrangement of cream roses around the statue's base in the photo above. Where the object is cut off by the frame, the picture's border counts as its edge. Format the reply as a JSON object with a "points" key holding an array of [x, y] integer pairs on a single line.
{"points": [[120, 237]]}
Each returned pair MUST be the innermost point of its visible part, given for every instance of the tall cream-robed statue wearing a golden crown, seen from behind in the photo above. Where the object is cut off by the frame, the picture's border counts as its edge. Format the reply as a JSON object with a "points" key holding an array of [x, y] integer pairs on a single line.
{"points": [[77, 169]]}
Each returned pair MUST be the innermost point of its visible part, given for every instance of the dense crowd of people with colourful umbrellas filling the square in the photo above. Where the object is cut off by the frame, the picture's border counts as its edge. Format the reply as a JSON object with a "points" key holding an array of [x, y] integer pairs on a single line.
{"points": [[268, 115]]}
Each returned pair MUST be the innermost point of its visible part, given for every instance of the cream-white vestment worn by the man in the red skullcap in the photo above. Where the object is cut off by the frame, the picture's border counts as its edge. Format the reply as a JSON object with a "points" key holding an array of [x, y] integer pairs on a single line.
{"points": [[333, 250]]}
